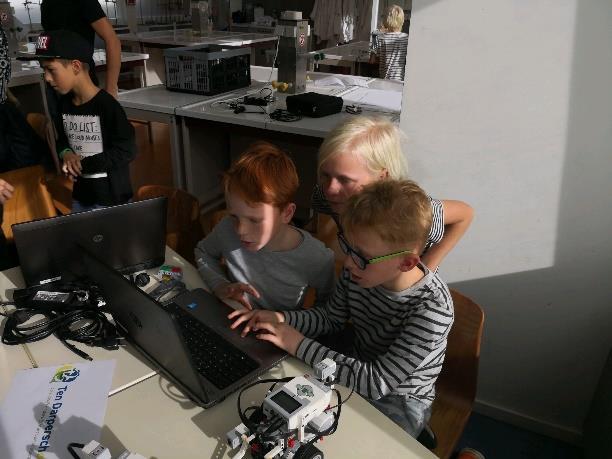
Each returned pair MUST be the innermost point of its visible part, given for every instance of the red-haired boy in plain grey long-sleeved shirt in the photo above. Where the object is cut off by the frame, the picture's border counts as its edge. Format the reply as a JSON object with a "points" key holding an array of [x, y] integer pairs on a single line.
{"points": [[269, 263]]}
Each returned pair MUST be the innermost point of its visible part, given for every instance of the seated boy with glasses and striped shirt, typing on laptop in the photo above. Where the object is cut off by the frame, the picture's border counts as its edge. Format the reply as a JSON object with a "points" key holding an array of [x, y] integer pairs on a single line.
{"points": [[401, 312]]}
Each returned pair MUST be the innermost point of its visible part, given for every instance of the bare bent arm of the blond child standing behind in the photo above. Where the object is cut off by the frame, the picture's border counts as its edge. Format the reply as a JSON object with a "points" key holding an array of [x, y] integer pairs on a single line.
{"points": [[457, 218]]}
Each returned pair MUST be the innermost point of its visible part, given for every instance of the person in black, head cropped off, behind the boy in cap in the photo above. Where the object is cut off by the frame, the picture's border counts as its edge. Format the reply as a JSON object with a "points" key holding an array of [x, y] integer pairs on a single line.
{"points": [[86, 18]]}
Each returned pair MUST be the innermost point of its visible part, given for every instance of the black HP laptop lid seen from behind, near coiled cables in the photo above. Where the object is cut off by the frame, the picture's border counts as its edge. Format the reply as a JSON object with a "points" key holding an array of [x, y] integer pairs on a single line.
{"points": [[129, 237]]}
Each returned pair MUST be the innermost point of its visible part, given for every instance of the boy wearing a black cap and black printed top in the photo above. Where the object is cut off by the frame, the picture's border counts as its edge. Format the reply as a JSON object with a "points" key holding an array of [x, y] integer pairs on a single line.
{"points": [[95, 139]]}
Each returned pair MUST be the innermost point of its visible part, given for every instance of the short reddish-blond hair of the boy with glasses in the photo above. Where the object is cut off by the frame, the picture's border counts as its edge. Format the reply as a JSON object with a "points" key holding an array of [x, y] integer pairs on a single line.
{"points": [[398, 211]]}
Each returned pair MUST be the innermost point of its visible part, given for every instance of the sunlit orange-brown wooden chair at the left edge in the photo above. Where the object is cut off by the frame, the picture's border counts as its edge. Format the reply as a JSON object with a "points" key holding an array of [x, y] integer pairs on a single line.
{"points": [[31, 199]]}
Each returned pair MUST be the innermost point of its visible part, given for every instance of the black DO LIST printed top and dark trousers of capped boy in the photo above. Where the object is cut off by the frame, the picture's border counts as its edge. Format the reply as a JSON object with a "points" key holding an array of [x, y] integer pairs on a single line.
{"points": [[100, 133]]}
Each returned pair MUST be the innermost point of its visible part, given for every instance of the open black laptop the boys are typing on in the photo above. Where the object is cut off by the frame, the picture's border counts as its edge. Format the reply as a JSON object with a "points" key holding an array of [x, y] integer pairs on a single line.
{"points": [[189, 339]]}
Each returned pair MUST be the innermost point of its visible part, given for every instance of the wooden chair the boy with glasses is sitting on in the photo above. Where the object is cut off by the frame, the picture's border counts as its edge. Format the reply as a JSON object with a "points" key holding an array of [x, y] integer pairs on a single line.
{"points": [[456, 385]]}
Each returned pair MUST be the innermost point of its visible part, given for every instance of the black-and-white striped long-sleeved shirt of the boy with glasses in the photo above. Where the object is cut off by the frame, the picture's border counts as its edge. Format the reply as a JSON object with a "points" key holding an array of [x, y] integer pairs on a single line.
{"points": [[400, 337]]}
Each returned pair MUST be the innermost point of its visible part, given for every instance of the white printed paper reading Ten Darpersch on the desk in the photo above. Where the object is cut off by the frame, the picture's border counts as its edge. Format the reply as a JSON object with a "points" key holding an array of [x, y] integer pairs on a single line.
{"points": [[48, 408]]}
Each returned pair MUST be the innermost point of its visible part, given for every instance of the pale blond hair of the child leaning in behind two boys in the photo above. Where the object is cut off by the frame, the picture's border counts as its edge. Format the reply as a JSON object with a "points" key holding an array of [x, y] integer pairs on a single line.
{"points": [[375, 140]]}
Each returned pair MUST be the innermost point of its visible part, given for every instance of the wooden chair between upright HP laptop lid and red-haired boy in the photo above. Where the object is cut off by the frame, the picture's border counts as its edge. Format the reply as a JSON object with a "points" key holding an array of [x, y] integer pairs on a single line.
{"points": [[183, 229]]}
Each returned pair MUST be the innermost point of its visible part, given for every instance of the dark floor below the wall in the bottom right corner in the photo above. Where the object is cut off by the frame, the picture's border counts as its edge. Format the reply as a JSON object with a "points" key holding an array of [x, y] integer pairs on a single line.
{"points": [[498, 440]]}
